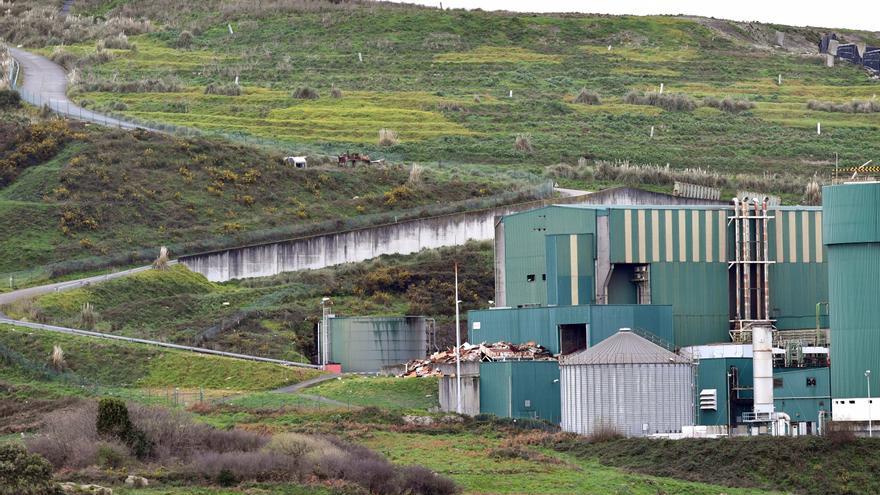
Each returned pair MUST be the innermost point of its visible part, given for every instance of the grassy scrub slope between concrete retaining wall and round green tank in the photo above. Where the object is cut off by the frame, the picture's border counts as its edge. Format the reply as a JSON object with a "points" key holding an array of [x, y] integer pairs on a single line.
{"points": [[272, 316]]}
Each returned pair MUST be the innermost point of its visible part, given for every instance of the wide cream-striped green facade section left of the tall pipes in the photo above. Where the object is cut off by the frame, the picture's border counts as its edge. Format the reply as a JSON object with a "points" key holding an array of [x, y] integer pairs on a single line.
{"points": [[668, 235]]}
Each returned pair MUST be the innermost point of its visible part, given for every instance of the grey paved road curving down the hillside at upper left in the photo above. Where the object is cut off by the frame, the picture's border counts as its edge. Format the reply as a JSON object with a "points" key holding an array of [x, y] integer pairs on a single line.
{"points": [[45, 83]]}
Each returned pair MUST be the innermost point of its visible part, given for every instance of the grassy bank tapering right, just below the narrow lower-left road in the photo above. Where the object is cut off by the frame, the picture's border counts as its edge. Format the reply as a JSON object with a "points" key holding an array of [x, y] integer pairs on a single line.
{"points": [[120, 364]]}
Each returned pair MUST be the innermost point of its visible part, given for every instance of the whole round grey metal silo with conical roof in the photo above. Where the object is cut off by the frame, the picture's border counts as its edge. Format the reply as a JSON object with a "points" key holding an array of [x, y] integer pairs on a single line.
{"points": [[629, 384]]}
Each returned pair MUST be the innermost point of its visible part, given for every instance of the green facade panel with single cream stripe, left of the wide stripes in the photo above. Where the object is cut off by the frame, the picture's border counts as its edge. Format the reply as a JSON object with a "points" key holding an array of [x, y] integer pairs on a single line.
{"points": [[570, 269]]}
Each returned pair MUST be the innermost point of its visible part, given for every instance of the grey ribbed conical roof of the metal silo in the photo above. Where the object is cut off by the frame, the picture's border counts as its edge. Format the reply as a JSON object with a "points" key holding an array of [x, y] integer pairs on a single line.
{"points": [[624, 347]]}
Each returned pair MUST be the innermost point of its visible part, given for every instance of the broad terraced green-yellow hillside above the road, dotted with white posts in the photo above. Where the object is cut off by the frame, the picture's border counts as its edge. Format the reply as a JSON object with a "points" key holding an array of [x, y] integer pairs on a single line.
{"points": [[442, 81]]}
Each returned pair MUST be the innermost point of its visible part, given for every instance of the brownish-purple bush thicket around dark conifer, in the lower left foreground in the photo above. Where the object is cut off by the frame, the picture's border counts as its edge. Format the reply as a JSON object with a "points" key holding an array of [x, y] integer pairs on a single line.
{"points": [[112, 434]]}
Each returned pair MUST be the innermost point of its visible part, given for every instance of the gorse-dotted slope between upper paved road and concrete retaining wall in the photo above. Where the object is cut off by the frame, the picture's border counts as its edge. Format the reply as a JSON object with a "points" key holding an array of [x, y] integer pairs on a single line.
{"points": [[75, 198]]}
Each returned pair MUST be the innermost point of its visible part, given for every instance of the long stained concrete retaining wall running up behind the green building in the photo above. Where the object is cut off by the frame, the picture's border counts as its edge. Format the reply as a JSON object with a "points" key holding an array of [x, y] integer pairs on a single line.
{"points": [[399, 238]]}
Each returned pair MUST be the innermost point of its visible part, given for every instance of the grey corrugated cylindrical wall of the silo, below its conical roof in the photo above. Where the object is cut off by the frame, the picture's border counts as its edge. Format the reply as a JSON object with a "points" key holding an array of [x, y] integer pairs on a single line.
{"points": [[635, 399]]}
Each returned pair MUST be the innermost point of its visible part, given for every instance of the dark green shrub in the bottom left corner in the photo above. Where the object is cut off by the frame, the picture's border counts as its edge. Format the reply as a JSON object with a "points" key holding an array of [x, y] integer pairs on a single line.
{"points": [[22, 473]]}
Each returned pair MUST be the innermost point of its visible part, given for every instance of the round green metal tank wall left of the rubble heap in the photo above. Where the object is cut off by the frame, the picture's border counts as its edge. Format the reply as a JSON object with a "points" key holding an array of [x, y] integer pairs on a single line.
{"points": [[366, 344]]}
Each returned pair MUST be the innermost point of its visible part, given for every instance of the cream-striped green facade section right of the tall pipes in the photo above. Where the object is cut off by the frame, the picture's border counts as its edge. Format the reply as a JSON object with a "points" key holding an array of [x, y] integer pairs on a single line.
{"points": [[795, 236]]}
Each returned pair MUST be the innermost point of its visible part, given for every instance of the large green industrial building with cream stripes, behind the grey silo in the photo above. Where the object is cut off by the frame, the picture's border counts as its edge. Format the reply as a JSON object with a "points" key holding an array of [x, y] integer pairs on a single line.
{"points": [[683, 276]]}
